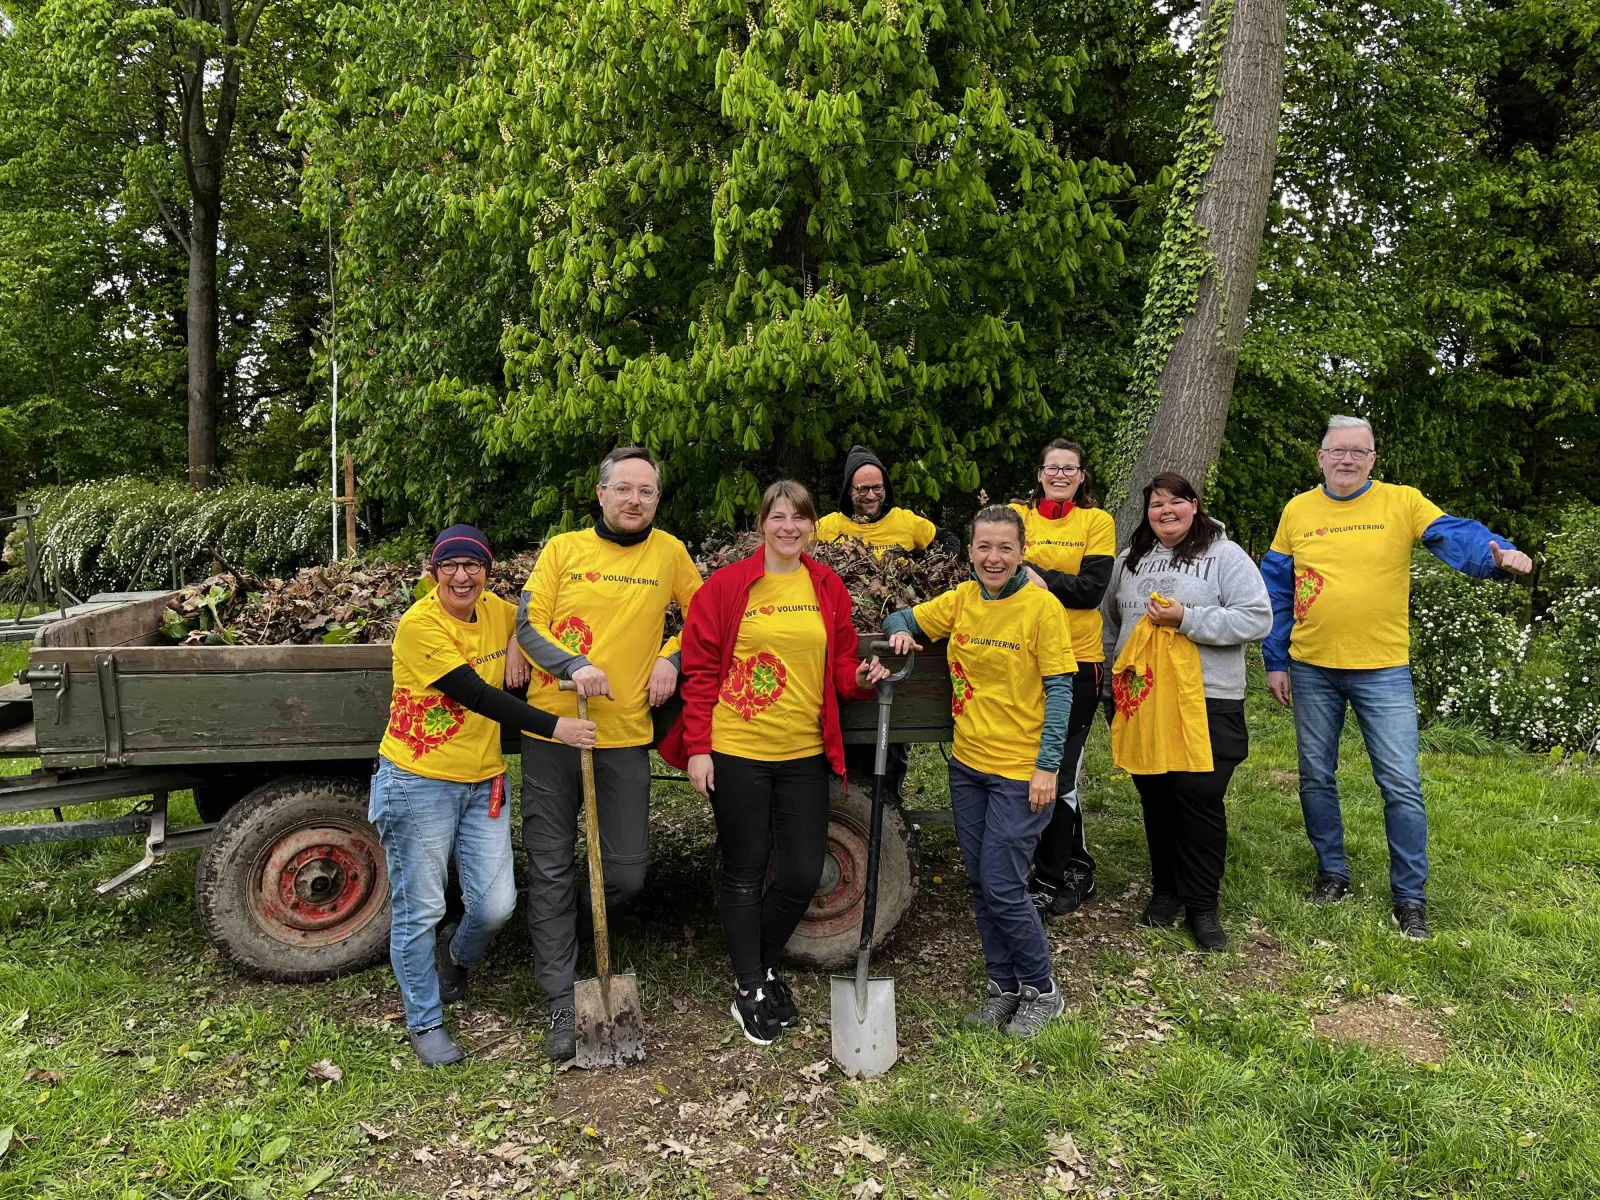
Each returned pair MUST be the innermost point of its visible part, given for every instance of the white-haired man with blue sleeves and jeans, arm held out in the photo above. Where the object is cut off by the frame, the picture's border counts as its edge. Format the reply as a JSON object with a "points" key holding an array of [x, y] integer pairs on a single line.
{"points": [[1340, 578]]}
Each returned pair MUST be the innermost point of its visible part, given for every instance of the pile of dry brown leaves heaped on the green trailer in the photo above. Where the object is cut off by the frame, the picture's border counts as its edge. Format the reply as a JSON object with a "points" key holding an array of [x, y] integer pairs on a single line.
{"points": [[361, 602]]}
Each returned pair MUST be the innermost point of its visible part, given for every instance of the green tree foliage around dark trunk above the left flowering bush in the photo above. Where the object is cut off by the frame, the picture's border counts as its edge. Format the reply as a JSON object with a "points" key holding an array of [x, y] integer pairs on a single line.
{"points": [[94, 273]]}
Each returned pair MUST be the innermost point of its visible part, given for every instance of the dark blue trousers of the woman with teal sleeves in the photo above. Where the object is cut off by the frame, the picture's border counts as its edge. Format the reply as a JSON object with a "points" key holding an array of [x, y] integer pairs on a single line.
{"points": [[998, 833]]}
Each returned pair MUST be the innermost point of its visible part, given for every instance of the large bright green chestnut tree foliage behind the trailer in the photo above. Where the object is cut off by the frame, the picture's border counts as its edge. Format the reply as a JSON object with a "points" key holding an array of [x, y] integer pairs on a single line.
{"points": [[745, 238]]}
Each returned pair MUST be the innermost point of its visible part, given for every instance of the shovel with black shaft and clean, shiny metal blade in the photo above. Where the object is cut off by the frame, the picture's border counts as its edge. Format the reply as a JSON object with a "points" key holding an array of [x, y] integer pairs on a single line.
{"points": [[866, 1041]]}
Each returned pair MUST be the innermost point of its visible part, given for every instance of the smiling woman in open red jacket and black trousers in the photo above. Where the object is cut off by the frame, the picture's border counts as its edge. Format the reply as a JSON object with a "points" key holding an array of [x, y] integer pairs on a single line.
{"points": [[769, 647]]}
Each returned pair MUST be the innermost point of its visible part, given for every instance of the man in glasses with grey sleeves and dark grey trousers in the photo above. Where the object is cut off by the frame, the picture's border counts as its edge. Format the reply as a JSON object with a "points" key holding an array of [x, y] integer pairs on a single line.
{"points": [[594, 612]]}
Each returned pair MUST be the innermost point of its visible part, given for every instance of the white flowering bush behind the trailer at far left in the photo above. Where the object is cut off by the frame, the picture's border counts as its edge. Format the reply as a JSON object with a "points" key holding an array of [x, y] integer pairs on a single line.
{"points": [[119, 534]]}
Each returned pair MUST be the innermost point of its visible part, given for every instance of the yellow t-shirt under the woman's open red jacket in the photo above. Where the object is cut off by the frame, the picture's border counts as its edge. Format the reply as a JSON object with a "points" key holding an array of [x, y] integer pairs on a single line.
{"points": [[770, 706]]}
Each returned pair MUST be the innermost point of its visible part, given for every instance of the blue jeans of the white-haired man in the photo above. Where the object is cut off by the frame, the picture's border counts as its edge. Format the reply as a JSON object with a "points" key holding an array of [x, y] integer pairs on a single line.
{"points": [[1386, 711]]}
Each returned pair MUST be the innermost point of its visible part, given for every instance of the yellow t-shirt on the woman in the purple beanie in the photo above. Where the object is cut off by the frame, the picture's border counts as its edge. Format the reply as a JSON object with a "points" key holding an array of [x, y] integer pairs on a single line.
{"points": [[428, 732]]}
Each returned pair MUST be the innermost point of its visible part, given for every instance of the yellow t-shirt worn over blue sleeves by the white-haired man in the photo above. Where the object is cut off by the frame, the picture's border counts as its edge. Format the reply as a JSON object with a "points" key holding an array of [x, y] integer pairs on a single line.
{"points": [[1353, 574]]}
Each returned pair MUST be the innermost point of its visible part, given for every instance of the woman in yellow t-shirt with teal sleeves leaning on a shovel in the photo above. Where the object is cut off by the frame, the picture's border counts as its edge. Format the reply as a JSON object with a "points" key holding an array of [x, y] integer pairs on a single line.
{"points": [[1012, 671]]}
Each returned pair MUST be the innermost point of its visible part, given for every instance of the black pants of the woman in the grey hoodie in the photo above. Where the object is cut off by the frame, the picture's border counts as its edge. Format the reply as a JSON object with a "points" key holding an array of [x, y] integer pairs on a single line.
{"points": [[1185, 817]]}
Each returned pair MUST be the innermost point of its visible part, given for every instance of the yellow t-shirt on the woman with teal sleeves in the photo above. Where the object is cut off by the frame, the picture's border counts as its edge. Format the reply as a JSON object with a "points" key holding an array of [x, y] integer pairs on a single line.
{"points": [[999, 654]]}
